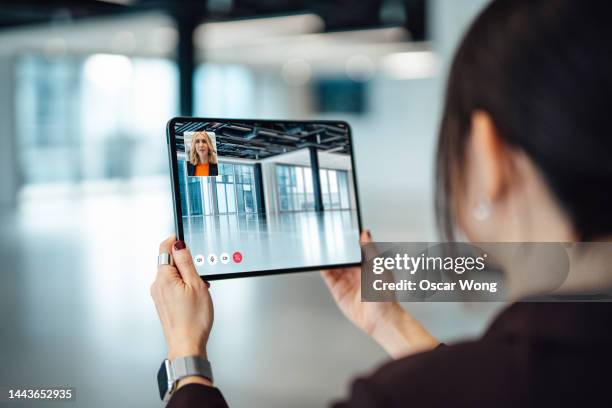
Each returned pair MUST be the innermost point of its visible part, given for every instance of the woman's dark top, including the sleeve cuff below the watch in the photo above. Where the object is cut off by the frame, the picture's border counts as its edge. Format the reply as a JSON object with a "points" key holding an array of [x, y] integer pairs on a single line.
{"points": [[532, 355]]}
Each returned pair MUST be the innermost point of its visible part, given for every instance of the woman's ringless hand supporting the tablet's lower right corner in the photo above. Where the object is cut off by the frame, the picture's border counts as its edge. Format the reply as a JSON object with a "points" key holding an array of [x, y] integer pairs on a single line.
{"points": [[387, 322]]}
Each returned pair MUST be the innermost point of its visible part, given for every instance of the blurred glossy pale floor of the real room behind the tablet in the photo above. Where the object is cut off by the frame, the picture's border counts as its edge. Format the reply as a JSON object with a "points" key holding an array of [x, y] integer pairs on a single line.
{"points": [[75, 310]]}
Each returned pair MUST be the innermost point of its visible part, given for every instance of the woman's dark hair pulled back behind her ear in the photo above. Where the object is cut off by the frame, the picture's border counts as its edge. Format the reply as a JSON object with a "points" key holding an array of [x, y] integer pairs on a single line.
{"points": [[542, 69]]}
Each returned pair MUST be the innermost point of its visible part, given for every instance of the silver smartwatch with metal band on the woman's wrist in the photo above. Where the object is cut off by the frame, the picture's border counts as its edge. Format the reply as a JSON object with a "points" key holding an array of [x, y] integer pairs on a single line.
{"points": [[171, 372]]}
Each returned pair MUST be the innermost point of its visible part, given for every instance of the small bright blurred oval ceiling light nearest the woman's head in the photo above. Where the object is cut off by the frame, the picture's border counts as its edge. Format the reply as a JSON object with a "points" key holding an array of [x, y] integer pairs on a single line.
{"points": [[410, 65]]}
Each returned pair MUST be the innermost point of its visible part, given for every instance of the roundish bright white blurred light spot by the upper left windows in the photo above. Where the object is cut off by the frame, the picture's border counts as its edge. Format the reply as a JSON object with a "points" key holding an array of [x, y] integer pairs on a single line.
{"points": [[108, 71]]}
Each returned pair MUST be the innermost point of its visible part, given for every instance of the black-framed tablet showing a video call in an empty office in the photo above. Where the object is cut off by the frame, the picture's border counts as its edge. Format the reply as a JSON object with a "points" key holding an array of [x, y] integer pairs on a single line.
{"points": [[254, 197]]}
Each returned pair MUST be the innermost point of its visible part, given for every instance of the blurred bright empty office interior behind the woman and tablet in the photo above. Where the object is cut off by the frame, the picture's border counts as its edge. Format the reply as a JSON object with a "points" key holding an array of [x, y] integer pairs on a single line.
{"points": [[86, 88]]}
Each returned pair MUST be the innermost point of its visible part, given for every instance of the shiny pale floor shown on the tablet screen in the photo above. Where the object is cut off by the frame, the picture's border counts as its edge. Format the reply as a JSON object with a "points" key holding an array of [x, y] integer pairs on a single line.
{"points": [[275, 241]]}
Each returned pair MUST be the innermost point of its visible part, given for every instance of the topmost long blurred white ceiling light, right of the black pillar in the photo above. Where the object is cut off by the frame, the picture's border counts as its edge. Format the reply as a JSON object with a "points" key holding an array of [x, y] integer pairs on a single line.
{"points": [[229, 33]]}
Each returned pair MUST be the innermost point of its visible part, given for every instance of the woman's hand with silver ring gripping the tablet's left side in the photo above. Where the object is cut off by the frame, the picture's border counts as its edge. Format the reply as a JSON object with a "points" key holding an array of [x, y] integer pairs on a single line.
{"points": [[183, 303]]}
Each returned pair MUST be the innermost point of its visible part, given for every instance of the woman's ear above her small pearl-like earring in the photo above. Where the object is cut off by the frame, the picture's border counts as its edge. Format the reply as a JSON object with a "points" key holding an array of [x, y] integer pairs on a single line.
{"points": [[489, 156]]}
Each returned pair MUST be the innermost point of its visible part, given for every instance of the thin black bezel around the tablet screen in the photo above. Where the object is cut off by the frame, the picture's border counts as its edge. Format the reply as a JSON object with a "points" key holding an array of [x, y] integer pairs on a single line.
{"points": [[176, 201]]}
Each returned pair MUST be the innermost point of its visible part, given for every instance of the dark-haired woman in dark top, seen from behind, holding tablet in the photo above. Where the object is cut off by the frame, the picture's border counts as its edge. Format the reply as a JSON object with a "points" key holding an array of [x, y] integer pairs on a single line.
{"points": [[524, 155]]}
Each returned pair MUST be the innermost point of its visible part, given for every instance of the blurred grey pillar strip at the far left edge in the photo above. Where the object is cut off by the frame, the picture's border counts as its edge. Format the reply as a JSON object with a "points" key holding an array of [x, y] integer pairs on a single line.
{"points": [[9, 169]]}
